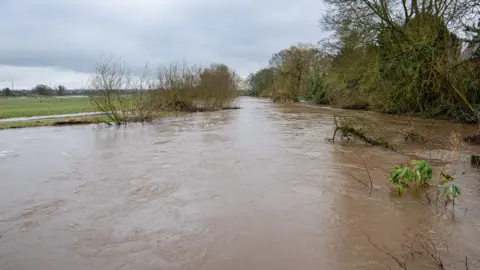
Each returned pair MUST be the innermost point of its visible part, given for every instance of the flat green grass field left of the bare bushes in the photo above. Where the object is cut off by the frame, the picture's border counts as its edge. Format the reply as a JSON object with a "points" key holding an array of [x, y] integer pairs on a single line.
{"points": [[25, 107]]}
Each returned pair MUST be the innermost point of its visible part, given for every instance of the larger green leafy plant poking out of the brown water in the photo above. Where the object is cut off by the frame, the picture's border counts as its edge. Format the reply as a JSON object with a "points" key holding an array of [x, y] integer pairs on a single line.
{"points": [[417, 173]]}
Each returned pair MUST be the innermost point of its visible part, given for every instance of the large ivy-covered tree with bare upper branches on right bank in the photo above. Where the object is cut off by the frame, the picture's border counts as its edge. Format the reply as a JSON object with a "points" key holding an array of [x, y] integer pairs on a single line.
{"points": [[406, 45]]}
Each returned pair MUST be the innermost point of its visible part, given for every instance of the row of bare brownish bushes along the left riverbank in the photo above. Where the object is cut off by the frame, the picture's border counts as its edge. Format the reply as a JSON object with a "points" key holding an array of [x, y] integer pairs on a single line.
{"points": [[127, 97]]}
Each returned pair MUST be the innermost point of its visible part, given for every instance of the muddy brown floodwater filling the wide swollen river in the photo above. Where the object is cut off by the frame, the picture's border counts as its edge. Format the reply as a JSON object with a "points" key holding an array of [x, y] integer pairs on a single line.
{"points": [[256, 188]]}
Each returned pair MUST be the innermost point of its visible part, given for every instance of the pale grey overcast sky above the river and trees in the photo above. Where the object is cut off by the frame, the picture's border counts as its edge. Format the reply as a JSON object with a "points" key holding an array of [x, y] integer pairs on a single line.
{"points": [[58, 41]]}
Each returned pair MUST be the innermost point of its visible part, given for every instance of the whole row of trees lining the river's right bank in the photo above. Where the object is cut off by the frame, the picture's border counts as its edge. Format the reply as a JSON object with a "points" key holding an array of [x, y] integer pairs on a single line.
{"points": [[412, 57]]}
